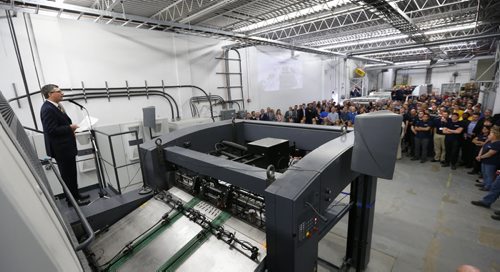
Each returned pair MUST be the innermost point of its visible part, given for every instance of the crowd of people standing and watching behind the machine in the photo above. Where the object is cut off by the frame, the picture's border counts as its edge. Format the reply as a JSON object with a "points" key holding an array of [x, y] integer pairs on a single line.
{"points": [[447, 129]]}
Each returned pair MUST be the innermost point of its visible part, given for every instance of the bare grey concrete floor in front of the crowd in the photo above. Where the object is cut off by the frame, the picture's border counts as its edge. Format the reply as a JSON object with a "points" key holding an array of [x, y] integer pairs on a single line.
{"points": [[424, 222]]}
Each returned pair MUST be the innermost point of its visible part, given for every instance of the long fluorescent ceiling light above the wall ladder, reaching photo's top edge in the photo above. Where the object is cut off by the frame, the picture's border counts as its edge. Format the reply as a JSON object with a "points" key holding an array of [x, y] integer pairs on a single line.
{"points": [[314, 9]]}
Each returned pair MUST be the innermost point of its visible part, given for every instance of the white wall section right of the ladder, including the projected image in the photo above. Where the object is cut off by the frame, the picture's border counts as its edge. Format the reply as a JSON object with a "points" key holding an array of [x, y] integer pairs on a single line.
{"points": [[313, 77]]}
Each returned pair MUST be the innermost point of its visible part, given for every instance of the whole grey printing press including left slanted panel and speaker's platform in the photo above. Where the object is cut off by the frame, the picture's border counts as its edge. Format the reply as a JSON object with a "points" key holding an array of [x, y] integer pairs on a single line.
{"points": [[233, 195]]}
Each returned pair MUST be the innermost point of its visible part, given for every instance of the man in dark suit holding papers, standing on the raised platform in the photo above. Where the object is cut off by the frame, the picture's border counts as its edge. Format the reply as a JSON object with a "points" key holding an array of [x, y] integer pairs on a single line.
{"points": [[60, 141]]}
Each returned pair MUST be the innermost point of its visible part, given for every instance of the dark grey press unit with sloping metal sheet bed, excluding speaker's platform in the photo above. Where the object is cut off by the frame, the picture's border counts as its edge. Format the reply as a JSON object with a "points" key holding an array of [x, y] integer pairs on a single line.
{"points": [[242, 195]]}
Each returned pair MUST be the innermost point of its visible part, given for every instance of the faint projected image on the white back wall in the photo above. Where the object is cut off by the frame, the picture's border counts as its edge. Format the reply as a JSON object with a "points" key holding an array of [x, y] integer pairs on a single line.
{"points": [[278, 74]]}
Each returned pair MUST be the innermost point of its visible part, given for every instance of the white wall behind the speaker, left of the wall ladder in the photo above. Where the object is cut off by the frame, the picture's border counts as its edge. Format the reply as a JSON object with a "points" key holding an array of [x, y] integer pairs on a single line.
{"points": [[72, 52]]}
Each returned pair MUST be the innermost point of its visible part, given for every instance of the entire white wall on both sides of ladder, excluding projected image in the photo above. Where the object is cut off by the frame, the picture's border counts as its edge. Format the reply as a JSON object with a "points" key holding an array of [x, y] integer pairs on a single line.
{"points": [[71, 52]]}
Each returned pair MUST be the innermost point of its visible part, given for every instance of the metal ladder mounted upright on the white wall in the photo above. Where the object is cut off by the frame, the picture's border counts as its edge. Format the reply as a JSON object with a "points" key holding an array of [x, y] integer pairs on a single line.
{"points": [[231, 63]]}
